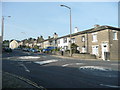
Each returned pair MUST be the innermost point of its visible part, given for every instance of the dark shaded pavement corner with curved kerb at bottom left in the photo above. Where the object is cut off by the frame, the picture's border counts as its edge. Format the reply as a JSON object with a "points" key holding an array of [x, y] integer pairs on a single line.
{"points": [[13, 81]]}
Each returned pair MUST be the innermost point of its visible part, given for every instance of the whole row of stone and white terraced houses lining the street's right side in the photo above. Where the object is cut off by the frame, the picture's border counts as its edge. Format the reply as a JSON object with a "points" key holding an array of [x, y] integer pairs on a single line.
{"points": [[101, 41]]}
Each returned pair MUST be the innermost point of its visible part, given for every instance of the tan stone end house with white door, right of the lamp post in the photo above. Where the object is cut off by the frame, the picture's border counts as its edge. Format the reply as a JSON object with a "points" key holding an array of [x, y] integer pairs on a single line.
{"points": [[101, 40]]}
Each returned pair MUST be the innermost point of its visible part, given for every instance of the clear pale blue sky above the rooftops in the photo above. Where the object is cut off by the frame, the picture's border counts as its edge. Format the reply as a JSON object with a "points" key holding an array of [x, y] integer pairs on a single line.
{"points": [[33, 19]]}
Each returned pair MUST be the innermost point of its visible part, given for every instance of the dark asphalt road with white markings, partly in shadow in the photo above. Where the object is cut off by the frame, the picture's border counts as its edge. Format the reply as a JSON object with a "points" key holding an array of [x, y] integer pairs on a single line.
{"points": [[52, 72]]}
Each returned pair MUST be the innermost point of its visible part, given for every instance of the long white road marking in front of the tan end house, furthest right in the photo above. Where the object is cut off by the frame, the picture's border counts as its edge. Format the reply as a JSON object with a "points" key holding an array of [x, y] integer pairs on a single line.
{"points": [[95, 68]]}
